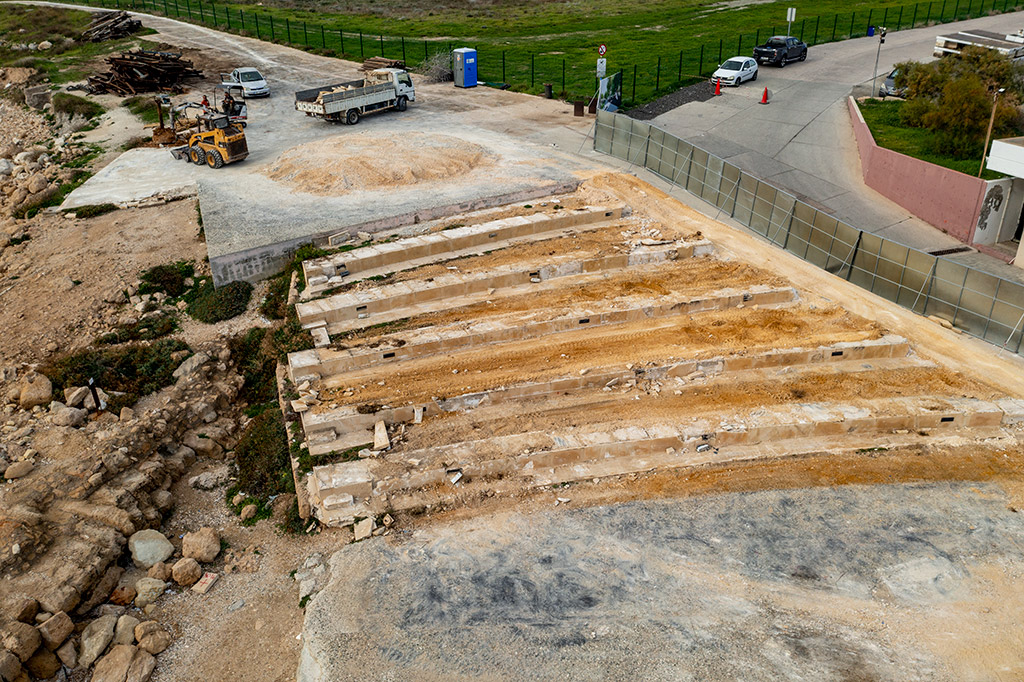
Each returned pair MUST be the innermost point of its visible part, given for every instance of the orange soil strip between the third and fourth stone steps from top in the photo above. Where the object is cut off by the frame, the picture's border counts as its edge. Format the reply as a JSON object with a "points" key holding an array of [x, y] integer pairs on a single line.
{"points": [[566, 355]]}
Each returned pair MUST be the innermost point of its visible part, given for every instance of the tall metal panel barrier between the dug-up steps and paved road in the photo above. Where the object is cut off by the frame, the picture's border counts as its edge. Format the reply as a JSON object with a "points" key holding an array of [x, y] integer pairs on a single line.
{"points": [[980, 304]]}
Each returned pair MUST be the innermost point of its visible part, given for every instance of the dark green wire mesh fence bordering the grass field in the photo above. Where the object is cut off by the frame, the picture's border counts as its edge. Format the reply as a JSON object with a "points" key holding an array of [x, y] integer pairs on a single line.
{"points": [[572, 77]]}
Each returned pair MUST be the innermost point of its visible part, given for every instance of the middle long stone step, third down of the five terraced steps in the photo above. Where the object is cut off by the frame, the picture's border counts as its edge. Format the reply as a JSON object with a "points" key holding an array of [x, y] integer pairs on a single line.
{"points": [[326, 363]]}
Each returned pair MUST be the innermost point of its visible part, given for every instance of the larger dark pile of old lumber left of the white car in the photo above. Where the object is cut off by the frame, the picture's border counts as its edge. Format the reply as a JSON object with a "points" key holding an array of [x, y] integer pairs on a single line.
{"points": [[143, 71]]}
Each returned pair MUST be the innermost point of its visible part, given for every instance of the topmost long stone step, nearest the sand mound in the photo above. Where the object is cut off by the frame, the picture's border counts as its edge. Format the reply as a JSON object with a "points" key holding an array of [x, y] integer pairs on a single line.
{"points": [[324, 274]]}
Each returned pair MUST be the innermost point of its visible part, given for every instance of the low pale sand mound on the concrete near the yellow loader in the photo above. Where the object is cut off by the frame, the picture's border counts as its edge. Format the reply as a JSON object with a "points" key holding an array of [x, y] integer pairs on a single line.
{"points": [[368, 162]]}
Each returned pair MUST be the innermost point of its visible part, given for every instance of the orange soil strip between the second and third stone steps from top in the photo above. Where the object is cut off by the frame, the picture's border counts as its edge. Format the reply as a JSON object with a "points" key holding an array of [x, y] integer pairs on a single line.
{"points": [[695, 277]]}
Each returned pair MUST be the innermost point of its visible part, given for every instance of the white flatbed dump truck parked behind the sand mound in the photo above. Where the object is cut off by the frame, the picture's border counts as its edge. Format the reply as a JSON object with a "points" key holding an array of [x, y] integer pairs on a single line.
{"points": [[382, 90]]}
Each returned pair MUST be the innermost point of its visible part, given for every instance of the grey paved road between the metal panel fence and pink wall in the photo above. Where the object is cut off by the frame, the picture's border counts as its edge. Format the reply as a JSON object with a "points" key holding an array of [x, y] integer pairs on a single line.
{"points": [[803, 142]]}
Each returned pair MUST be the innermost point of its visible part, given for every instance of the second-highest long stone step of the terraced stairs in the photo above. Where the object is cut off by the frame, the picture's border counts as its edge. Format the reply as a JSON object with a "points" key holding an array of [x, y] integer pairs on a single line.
{"points": [[404, 300]]}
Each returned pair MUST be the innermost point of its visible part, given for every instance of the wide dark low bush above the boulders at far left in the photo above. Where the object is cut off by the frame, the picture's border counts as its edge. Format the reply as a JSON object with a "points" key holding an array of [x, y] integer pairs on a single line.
{"points": [[135, 370]]}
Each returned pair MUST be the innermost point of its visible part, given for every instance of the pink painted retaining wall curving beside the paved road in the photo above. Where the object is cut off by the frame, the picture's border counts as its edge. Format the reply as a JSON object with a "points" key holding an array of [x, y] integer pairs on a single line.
{"points": [[945, 198]]}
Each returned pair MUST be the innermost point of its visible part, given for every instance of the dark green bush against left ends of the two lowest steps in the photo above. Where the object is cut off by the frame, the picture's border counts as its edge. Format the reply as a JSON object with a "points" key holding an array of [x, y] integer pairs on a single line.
{"points": [[262, 457]]}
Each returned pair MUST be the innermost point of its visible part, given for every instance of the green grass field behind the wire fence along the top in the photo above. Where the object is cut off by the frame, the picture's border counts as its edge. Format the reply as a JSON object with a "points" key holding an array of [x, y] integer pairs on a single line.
{"points": [[659, 45]]}
